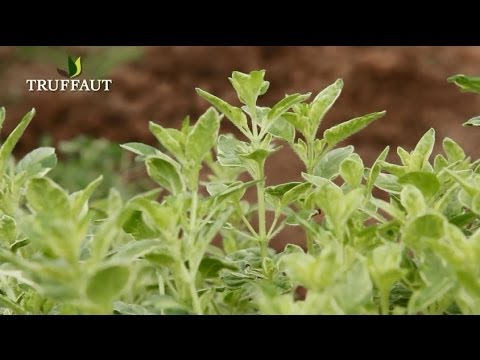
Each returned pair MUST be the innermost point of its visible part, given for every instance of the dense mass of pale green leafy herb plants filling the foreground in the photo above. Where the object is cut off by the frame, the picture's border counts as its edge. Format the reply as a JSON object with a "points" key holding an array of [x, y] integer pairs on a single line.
{"points": [[390, 238]]}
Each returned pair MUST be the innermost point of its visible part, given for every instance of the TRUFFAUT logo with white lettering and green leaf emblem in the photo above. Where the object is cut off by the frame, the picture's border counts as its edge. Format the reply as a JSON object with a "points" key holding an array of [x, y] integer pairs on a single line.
{"points": [[74, 69]]}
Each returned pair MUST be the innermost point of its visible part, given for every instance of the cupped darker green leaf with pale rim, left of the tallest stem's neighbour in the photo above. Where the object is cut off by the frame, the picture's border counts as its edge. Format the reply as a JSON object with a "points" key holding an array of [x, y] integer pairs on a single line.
{"points": [[165, 173]]}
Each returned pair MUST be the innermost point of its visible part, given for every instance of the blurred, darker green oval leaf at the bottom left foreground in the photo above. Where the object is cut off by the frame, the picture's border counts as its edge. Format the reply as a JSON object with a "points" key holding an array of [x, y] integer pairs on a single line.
{"points": [[107, 283]]}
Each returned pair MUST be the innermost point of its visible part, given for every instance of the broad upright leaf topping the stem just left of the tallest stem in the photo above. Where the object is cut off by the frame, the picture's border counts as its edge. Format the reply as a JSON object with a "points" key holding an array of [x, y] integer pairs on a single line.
{"points": [[203, 136]]}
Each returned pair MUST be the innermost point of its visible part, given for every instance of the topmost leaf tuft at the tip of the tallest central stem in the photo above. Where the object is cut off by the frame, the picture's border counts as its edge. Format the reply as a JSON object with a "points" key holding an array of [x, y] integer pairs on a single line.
{"points": [[249, 86]]}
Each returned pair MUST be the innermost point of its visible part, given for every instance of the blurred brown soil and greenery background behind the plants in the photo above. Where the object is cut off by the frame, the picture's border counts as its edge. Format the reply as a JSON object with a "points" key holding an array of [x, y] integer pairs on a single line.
{"points": [[157, 83]]}
